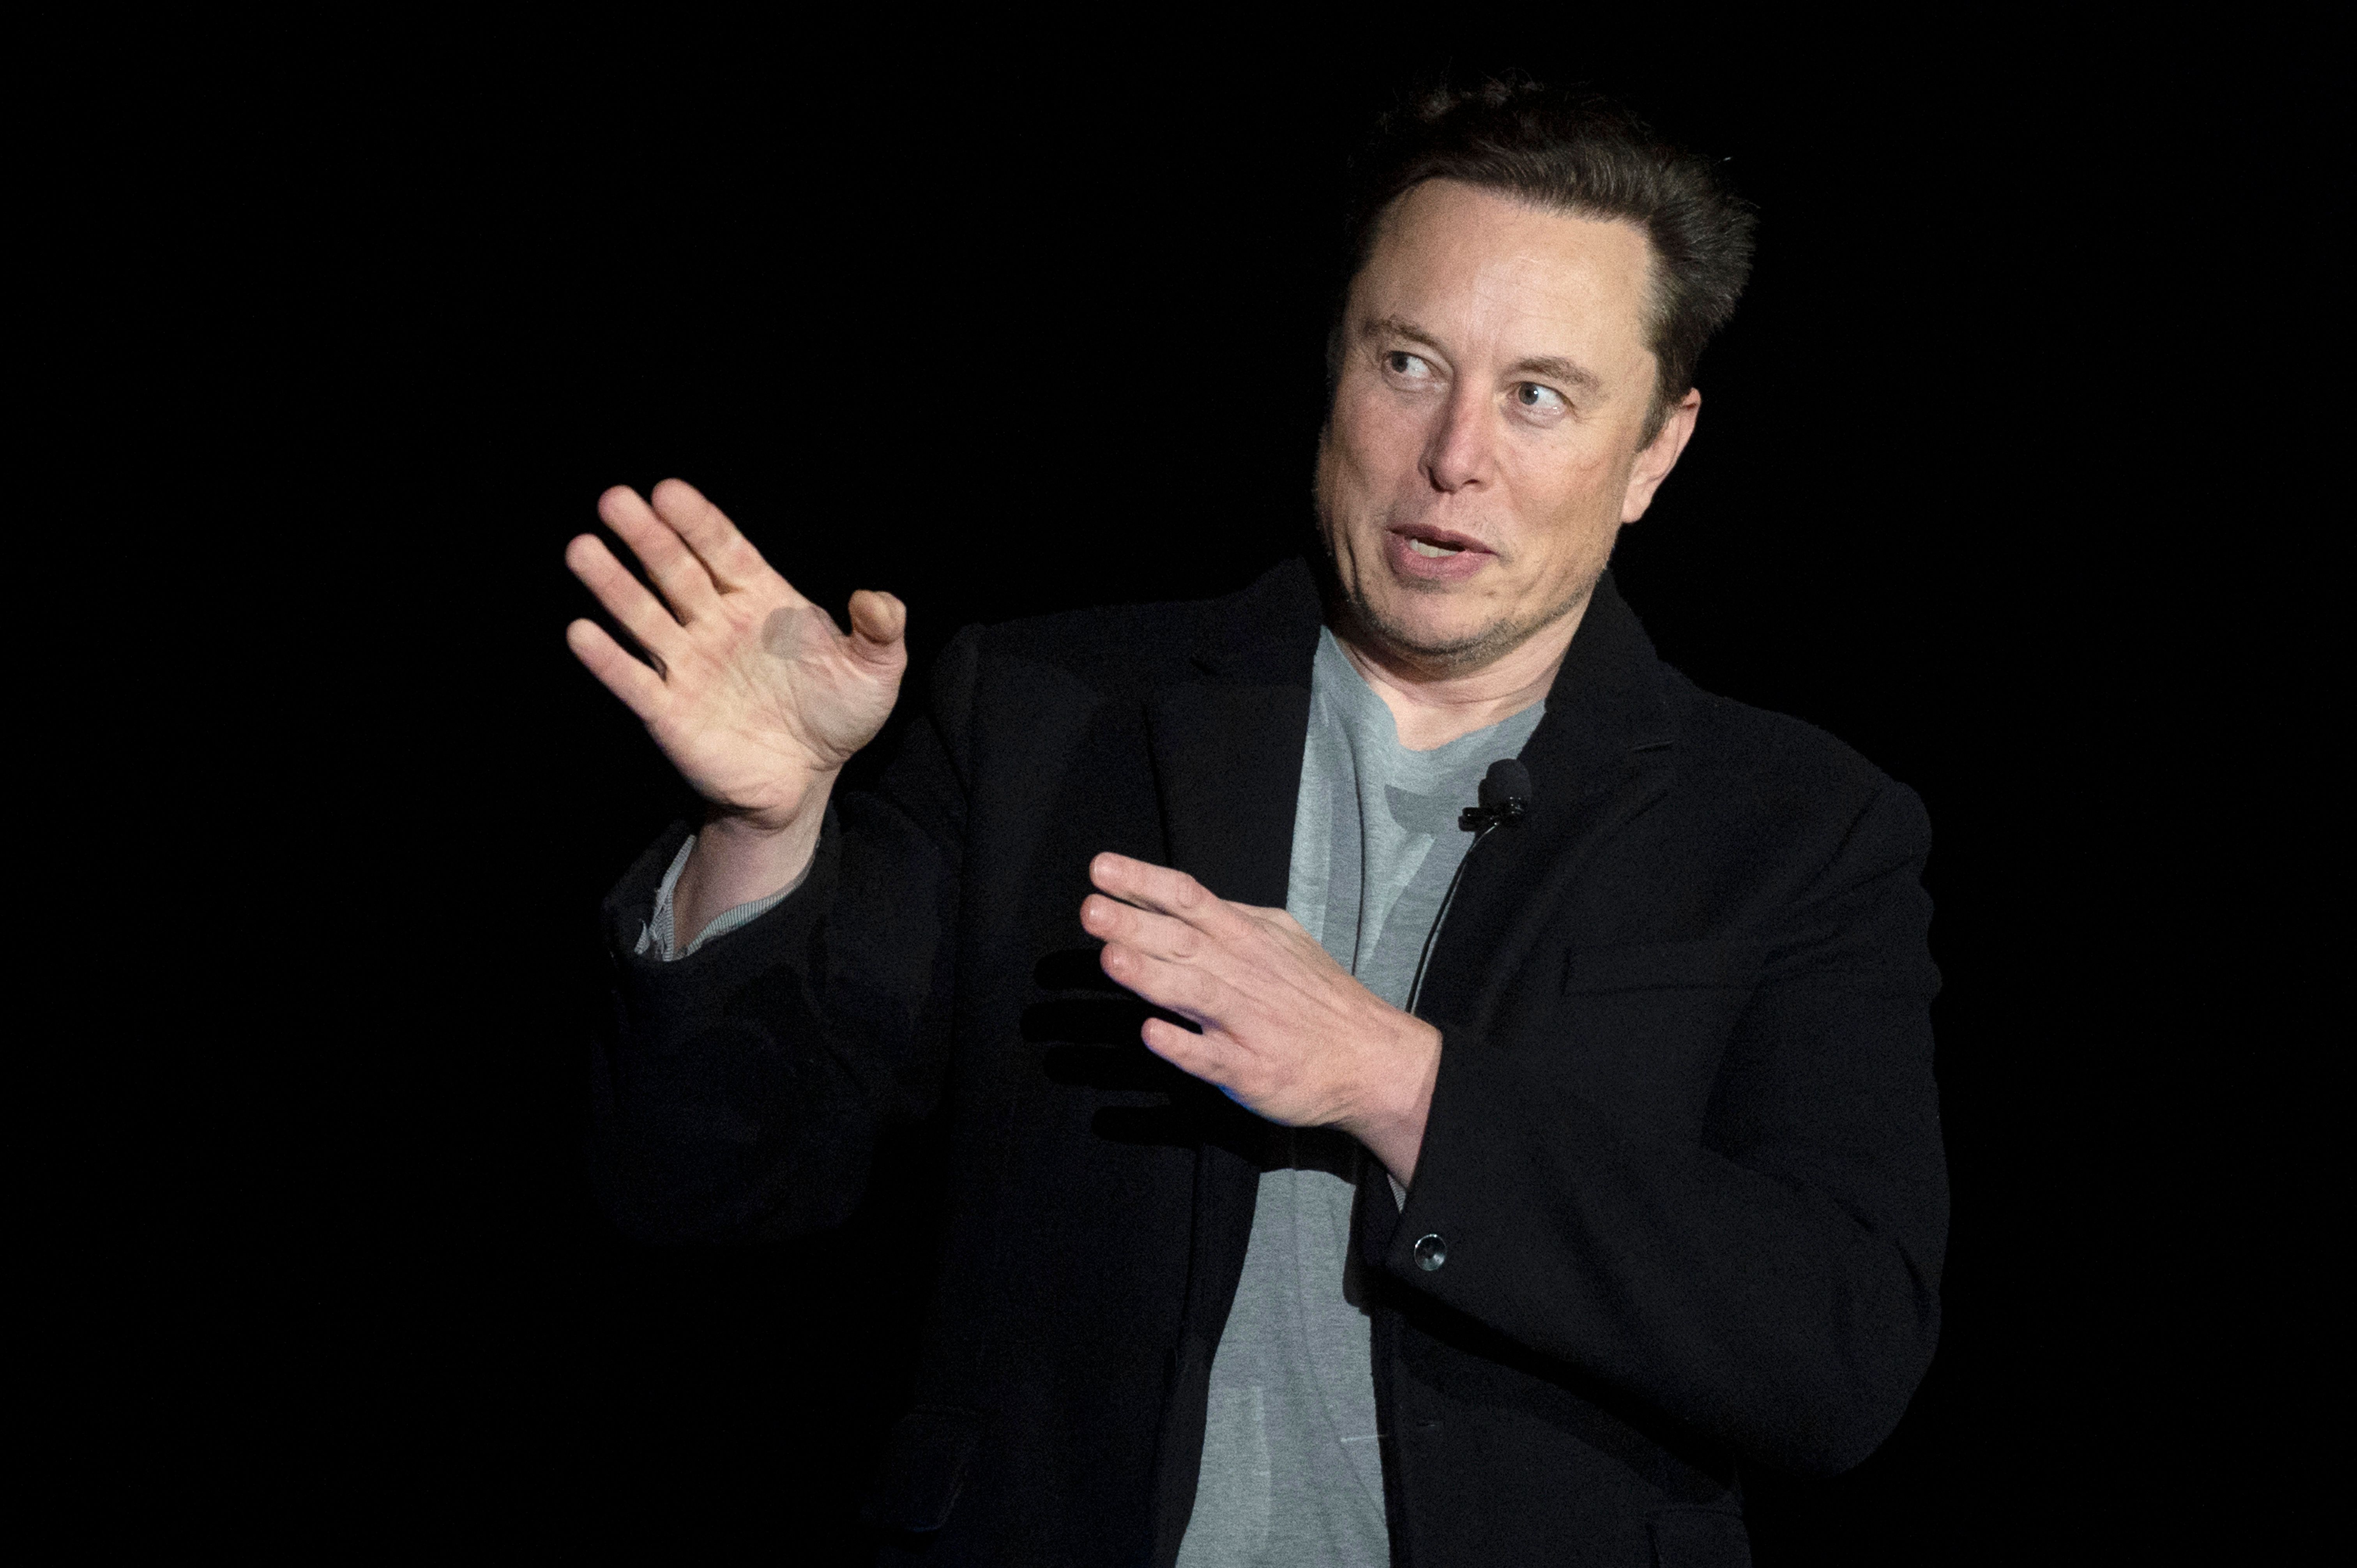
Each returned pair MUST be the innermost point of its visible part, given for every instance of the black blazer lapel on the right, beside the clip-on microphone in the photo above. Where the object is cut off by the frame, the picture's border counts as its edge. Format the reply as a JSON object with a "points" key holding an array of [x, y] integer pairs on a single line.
{"points": [[1599, 758]]}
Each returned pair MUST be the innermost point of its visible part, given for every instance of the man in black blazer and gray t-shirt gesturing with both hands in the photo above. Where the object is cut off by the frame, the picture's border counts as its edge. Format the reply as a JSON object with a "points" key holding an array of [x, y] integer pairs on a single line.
{"points": [[1496, 1225]]}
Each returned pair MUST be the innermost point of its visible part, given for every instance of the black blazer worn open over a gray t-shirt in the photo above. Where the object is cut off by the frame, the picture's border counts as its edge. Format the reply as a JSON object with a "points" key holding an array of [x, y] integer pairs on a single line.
{"points": [[1684, 1149]]}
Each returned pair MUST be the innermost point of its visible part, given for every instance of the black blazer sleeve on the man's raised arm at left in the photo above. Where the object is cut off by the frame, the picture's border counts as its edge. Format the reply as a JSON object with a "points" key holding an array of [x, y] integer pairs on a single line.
{"points": [[739, 1093]]}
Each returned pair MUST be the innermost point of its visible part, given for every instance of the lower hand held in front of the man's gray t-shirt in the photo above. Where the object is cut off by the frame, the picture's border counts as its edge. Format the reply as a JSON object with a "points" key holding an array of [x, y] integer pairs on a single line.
{"points": [[1286, 1029]]}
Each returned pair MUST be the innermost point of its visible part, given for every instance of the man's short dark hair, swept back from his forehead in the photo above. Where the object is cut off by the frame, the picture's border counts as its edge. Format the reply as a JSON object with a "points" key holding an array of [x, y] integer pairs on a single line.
{"points": [[1576, 152]]}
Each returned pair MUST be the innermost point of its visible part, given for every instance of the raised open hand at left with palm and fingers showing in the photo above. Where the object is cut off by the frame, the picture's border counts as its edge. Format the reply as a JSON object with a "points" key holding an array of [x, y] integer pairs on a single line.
{"points": [[755, 697]]}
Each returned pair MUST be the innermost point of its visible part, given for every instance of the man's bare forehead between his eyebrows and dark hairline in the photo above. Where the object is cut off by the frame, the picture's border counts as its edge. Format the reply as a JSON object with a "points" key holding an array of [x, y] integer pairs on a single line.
{"points": [[1491, 263]]}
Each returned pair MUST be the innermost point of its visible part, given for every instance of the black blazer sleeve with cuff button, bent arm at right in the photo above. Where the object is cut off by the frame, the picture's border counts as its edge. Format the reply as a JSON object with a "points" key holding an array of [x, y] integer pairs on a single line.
{"points": [[1774, 1284]]}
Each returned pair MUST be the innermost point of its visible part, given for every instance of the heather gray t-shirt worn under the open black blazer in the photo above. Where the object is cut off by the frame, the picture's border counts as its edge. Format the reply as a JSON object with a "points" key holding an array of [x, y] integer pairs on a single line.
{"points": [[1290, 1468]]}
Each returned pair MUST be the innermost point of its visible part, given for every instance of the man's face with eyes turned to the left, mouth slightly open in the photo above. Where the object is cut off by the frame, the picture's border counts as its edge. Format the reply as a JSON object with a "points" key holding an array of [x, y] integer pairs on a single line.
{"points": [[1486, 435]]}
